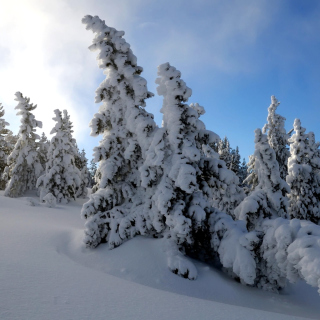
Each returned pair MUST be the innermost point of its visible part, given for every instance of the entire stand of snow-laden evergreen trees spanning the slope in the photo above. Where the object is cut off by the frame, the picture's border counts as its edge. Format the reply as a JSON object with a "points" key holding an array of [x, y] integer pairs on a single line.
{"points": [[181, 182]]}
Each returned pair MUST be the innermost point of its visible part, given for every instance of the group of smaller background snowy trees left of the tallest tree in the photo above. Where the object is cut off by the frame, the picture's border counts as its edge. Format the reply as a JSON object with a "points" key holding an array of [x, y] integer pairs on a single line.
{"points": [[28, 161]]}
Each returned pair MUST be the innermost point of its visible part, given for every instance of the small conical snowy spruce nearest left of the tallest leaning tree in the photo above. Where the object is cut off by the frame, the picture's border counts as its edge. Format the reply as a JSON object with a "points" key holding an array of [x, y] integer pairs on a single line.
{"points": [[61, 177]]}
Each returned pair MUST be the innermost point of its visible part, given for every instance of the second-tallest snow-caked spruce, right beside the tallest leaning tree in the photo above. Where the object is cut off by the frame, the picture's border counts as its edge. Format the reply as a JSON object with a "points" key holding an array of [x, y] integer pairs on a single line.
{"points": [[177, 208]]}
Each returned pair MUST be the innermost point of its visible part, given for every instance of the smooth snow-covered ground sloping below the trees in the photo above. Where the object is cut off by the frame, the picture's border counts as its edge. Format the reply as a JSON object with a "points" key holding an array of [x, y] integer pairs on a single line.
{"points": [[46, 273]]}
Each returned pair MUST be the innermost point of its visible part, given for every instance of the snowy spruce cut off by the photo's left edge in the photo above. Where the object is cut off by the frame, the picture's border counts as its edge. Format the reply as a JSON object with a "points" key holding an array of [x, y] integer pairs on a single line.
{"points": [[4, 147]]}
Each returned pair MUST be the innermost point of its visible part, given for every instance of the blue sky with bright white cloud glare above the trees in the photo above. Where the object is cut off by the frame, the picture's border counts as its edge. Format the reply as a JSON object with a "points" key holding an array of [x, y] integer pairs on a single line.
{"points": [[233, 55]]}
